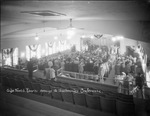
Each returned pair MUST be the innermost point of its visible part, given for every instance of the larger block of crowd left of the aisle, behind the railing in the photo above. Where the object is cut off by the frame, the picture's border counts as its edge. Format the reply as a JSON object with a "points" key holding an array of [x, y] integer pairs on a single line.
{"points": [[96, 62]]}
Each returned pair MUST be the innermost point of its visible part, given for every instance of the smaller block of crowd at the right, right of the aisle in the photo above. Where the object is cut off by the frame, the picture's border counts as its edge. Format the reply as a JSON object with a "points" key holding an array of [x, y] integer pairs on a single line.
{"points": [[129, 72]]}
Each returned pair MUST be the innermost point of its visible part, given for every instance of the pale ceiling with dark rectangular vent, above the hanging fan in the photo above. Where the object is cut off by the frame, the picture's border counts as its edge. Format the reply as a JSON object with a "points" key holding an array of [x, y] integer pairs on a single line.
{"points": [[16, 21]]}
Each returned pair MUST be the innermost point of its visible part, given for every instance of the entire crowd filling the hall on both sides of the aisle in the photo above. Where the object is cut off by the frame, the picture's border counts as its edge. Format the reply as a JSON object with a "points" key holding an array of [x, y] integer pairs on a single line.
{"points": [[128, 69]]}
